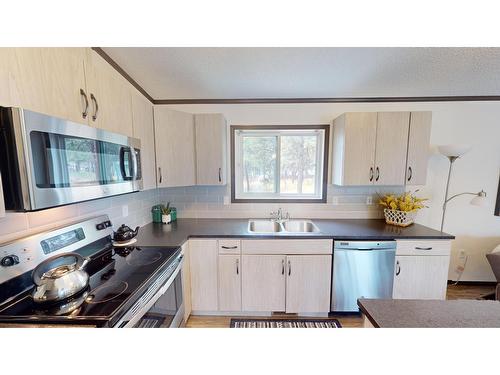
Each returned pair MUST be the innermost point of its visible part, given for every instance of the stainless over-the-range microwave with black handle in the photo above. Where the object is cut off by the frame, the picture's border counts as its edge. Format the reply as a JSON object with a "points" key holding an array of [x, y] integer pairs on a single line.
{"points": [[68, 162]]}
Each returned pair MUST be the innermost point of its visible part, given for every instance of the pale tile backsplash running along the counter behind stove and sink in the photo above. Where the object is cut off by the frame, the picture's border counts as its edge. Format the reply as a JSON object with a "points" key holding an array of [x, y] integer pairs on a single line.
{"points": [[192, 202]]}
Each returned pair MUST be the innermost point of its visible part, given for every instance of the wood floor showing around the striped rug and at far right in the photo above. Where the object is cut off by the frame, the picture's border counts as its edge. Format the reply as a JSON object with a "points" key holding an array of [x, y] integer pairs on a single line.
{"points": [[347, 321]]}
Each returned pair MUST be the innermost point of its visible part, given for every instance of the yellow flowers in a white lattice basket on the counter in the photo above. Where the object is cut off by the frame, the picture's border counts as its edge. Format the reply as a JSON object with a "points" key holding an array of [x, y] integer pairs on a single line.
{"points": [[401, 210]]}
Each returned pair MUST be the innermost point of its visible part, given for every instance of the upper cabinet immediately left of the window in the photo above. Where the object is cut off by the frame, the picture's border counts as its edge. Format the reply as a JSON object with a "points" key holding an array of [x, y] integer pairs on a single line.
{"points": [[211, 145]]}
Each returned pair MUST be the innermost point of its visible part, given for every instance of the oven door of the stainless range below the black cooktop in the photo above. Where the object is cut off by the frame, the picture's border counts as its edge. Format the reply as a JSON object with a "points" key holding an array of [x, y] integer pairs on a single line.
{"points": [[164, 309]]}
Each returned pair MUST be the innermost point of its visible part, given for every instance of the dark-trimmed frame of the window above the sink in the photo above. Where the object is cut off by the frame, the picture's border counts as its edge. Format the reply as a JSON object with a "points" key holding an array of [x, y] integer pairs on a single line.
{"points": [[268, 128]]}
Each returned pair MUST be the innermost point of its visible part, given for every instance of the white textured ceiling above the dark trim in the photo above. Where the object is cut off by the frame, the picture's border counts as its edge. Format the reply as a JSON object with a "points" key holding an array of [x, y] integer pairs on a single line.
{"points": [[231, 73]]}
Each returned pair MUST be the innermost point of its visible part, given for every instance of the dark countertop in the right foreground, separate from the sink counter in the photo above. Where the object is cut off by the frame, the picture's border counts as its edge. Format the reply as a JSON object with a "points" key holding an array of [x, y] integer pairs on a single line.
{"points": [[400, 313]]}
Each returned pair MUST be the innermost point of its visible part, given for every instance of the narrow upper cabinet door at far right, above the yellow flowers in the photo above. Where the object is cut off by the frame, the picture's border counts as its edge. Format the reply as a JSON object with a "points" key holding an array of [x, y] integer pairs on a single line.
{"points": [[418, 148]]}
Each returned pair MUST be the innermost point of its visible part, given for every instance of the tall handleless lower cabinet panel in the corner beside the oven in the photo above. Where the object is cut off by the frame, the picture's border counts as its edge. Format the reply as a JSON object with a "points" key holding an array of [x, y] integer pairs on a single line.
{"points": [[203, 269]]}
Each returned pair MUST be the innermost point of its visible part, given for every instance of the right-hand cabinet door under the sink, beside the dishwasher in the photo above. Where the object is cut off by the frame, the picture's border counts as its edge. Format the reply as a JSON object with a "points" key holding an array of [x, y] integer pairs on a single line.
{"points": [[308, 283]]}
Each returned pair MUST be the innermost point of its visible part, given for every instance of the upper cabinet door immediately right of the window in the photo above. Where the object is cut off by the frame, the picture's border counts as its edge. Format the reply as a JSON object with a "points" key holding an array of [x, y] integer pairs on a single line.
{"points": [[354, 148]]}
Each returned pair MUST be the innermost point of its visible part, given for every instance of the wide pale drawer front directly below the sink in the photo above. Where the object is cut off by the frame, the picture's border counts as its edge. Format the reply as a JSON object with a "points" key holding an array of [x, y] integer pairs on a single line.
{"points": [[287, 247]]}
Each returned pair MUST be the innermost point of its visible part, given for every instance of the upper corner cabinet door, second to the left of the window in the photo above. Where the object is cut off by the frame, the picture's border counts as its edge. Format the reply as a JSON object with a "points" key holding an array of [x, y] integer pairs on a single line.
{"points": [[175, 154]]}
